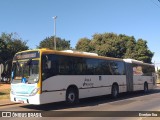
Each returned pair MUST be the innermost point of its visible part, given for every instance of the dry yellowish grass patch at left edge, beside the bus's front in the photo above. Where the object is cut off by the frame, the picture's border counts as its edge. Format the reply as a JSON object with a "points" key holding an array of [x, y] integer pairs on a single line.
{"points": [[4, 93]]}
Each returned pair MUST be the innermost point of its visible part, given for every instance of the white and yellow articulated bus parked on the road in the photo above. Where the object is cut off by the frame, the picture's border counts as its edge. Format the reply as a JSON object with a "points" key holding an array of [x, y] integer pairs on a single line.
{"points": [[46, 76]]}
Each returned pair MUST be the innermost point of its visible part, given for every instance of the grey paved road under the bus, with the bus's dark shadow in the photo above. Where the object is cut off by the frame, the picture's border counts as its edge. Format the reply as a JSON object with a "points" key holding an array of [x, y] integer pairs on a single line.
{"points": [[136, 101]]}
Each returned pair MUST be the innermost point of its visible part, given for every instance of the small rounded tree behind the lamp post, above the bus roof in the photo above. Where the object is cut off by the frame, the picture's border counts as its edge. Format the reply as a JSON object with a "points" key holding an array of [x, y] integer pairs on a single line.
{"points": [[48, 42]]}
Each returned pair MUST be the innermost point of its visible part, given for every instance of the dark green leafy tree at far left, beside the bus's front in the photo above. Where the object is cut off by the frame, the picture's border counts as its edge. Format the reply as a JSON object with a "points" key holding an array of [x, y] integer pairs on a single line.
{"points": [[11, 44]]}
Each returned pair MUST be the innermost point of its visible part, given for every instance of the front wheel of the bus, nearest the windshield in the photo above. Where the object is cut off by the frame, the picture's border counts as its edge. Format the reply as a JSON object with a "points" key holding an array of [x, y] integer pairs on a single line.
{"points": [[72, 96]]}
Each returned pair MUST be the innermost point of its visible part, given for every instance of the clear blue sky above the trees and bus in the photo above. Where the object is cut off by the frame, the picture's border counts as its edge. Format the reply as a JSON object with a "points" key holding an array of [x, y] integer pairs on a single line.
{"points": [[33, 20]]}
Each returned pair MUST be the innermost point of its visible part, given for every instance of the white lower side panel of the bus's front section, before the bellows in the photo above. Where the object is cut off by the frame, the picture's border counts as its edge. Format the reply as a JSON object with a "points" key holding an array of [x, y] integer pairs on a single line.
{"points": [[54, 88]]}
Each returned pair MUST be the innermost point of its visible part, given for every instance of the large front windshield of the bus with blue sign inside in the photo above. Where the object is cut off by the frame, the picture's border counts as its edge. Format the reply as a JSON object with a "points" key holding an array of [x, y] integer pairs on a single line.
{"points": [[25, 71]]}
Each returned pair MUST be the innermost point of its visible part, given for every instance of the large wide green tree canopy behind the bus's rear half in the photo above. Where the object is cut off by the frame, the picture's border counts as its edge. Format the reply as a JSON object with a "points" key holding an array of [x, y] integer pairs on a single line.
{"points": [[119, 46]]}
